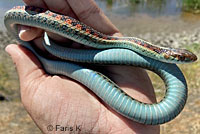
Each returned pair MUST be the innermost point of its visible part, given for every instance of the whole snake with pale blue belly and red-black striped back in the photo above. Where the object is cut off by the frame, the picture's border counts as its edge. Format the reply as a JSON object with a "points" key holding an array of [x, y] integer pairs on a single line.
{"points": [[106, 50]]}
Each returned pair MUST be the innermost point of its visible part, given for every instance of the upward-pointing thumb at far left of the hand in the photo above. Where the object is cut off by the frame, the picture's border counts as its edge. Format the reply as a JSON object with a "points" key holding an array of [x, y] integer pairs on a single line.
{"points": [[28, 67]]}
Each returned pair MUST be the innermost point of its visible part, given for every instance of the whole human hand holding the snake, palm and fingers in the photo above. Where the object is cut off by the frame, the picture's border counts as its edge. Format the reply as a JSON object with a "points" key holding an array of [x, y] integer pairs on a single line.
{"points": [[57, 100]]}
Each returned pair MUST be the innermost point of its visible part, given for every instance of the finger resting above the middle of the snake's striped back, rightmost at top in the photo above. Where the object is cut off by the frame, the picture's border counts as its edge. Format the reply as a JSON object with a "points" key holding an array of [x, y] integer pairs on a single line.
{"points": [[89, 13]]}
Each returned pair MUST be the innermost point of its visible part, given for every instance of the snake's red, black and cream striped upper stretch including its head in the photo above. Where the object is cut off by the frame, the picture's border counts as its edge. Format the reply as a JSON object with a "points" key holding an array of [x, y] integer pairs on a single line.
{"points": [[81, 33]]}
